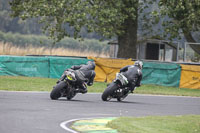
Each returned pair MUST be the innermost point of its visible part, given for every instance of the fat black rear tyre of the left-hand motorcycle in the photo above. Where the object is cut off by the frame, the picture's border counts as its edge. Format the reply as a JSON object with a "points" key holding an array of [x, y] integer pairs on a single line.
{"points": [[57, 90]]}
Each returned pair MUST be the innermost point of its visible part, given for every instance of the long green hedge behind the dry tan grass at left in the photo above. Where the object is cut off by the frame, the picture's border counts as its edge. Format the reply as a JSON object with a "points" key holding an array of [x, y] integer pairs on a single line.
{"points": [[39, 41]]}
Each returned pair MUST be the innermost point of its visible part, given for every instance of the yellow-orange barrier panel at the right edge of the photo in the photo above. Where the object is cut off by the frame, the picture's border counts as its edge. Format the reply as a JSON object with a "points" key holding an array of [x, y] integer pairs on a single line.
{"points": [[190, 77]]}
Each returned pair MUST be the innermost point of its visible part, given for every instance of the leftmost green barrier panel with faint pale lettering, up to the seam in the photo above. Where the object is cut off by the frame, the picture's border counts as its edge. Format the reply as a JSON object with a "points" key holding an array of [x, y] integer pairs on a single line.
{"points": [[24, 66]]}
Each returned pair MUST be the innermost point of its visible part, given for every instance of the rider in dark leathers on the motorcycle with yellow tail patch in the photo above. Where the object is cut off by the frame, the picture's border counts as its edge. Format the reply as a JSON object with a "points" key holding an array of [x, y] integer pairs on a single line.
{"points": [[84, 74]]}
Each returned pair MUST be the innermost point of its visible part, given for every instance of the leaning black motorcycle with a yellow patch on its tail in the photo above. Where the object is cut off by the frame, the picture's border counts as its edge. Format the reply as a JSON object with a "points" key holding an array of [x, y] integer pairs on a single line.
{"points": [[66, 87]]}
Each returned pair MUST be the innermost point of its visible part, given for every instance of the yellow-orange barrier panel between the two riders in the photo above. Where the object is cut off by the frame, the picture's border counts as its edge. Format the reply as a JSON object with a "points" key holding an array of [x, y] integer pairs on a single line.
{"points": [[106, 68]]}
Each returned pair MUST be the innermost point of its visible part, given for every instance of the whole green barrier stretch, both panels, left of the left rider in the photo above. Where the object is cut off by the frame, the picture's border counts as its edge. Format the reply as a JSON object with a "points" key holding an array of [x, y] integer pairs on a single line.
{"points": [[31, 66]]}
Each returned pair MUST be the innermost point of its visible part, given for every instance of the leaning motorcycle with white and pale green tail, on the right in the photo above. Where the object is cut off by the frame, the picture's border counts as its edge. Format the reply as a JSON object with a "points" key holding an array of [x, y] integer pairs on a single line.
{"points": [[117, 89]]}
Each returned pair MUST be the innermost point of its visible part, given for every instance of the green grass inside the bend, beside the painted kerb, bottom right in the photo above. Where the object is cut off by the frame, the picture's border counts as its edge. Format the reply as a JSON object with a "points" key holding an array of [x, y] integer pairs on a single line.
{"points": [[157, 124]]}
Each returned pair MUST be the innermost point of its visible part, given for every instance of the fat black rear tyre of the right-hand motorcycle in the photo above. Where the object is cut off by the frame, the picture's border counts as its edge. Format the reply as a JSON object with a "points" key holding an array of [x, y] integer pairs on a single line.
{"points": [[106, 96]]}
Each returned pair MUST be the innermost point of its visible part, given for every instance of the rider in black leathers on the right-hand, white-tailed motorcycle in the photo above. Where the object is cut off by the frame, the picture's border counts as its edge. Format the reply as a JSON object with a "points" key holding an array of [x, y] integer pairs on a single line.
{"points": [[133, 73]]}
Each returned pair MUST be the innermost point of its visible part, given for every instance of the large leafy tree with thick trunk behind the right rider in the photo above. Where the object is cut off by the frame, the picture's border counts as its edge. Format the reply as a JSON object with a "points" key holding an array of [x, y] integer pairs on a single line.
{"points": [[108, 18]]}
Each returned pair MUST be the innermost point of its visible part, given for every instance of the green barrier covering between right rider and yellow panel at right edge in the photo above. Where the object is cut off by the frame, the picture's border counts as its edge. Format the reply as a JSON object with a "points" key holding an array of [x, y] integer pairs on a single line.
{"points": [[166, 74]]}
